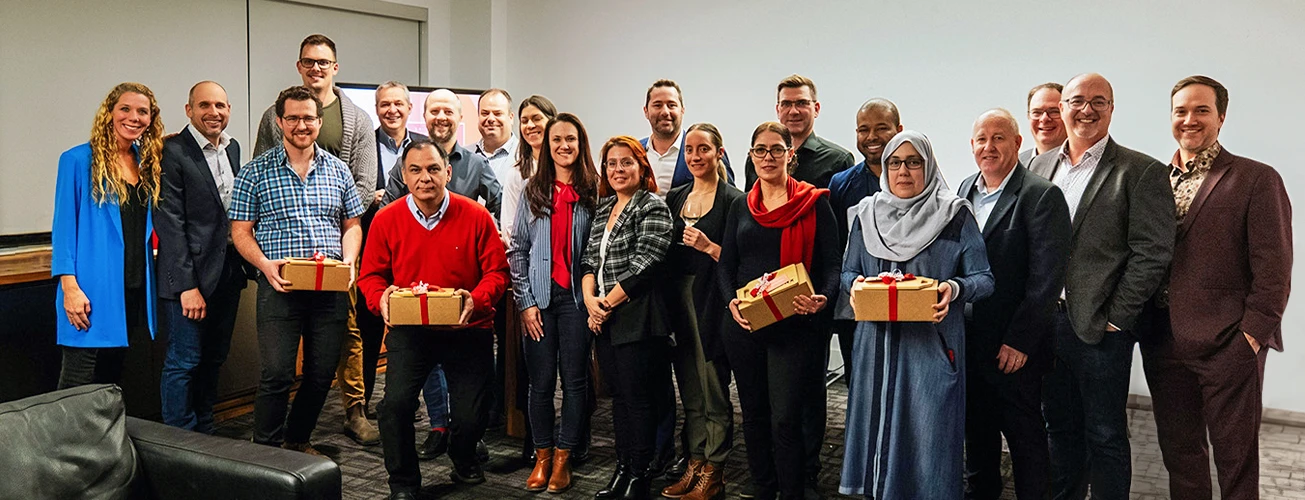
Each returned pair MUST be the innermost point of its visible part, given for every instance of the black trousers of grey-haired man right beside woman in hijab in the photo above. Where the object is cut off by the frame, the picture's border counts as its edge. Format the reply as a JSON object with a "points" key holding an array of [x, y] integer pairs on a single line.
{"points": [[1012, 405]]}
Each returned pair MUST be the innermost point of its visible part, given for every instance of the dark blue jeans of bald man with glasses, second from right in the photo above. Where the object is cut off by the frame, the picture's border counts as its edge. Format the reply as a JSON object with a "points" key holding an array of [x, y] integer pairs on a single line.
{"points": [[1084, 401]]}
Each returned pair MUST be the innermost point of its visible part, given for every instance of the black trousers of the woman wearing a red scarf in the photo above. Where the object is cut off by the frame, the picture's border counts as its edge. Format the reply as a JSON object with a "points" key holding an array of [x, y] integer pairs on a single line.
{"points": [[776, 371]]}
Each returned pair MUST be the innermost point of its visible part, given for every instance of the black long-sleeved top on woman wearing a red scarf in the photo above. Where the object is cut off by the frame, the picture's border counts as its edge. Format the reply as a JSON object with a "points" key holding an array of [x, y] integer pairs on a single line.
{"points": [[748, 251]]}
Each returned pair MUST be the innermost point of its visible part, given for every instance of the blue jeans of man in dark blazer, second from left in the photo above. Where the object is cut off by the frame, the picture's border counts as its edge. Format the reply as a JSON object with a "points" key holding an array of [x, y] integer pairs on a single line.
{"points": [[195, 354]]}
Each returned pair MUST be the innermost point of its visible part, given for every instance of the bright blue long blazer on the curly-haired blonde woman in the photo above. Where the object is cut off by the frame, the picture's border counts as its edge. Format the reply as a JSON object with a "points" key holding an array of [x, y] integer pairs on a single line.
{"points": [[88, 243]]}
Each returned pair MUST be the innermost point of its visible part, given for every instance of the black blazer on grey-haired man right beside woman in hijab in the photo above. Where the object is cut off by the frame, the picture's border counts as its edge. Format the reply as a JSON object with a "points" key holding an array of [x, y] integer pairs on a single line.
{"points": [[1028, 236]]}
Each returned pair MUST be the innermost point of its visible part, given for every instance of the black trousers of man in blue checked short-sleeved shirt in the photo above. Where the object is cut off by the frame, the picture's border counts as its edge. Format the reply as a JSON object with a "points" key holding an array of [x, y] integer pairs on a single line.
{"points": [[320, 320]]}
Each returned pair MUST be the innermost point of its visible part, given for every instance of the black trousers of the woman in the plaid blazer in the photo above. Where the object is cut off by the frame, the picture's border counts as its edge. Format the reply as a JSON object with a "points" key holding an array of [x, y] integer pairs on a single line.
{"points": [[634, 374]]}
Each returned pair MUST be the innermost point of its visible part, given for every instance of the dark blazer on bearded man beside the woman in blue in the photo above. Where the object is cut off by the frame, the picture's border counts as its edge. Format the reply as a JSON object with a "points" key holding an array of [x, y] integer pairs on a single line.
{"points": [[191, 223]]}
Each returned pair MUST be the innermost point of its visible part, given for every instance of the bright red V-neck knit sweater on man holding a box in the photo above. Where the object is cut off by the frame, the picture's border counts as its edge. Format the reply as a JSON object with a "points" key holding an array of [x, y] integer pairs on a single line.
{"points": [[463, 251]]}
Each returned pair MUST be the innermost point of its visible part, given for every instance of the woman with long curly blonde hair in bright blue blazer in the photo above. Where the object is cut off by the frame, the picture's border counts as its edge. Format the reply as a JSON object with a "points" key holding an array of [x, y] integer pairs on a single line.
{"points": [[101, 232]]}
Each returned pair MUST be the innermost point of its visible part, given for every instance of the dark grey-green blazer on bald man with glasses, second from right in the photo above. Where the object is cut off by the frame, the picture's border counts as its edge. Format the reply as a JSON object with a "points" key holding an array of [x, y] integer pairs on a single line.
{"points": [[1123, 240]]}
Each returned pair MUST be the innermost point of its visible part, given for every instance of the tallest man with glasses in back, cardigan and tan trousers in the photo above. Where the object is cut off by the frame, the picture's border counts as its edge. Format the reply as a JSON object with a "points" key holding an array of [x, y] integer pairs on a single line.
{"points": [[345, 134]]}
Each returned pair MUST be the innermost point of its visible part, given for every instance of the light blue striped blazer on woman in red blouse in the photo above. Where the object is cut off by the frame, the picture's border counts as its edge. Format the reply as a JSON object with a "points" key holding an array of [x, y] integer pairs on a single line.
{"points": [[532, 251]]}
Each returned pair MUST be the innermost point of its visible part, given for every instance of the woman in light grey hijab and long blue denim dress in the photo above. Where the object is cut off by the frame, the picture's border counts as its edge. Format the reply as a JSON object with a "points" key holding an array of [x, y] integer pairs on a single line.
{"points": [[906, 421]]}
